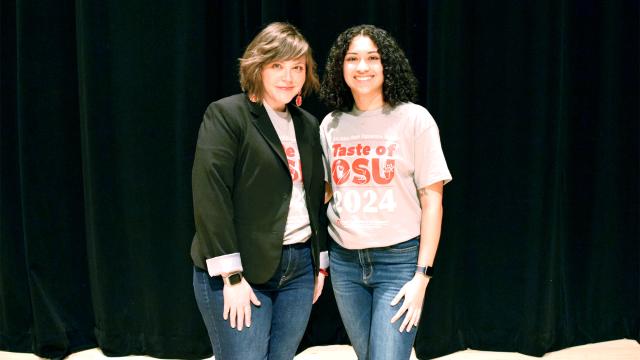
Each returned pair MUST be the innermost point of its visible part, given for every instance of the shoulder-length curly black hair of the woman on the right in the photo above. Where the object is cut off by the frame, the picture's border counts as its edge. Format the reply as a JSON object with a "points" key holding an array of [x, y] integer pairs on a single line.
{"points": [[400, 85]]}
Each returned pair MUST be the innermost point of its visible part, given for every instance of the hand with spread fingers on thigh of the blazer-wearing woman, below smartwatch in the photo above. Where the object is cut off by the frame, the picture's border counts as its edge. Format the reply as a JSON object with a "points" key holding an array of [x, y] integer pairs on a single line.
{"points": [[237, 304]]}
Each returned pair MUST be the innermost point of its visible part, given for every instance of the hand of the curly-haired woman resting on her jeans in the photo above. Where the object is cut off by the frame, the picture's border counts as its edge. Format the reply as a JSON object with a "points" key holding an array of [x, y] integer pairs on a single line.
{"points": [[413, 293]]}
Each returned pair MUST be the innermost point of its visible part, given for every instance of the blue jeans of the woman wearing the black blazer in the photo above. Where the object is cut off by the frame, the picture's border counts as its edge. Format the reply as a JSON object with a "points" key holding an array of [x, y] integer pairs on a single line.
{"points": [[277, 325]]}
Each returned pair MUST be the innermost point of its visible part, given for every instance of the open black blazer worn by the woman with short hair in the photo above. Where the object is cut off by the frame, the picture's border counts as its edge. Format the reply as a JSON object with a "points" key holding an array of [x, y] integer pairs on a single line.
{"points": [[242, 186]]}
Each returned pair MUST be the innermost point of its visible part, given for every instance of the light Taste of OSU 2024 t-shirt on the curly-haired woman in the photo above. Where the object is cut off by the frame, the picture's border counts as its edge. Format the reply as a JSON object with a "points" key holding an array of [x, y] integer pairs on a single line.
{"points": [[378, 160]]}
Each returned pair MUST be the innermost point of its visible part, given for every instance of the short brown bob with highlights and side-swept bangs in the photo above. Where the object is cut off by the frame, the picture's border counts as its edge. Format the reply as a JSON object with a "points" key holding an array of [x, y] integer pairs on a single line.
{"points": [[276, 42]]}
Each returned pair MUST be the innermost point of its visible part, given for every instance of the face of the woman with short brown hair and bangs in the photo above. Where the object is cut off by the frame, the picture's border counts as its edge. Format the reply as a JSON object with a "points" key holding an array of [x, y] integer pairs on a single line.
{"points": [[282, 80]]}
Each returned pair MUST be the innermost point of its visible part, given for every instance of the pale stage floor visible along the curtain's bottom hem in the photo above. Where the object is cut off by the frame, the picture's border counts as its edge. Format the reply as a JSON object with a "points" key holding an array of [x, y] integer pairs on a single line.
{"points": [[610, 350]]}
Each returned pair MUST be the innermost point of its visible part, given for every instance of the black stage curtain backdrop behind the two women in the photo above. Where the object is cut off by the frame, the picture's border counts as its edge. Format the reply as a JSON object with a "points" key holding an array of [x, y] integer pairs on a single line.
{"points": [[537, 104]]}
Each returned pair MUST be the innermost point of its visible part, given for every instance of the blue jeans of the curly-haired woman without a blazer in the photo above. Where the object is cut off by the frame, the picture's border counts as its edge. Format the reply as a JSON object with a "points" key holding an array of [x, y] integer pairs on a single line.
{"points": [[364, 283]]}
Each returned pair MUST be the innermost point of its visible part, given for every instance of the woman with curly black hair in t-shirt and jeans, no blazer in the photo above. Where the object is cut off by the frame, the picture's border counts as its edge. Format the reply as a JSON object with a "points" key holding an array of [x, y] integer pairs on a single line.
{"points": [[387, 172]]}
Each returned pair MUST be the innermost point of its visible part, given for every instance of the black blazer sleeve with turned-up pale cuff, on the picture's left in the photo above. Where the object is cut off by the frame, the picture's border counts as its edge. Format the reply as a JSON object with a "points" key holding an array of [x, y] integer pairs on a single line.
{"points": [[213, 186]]}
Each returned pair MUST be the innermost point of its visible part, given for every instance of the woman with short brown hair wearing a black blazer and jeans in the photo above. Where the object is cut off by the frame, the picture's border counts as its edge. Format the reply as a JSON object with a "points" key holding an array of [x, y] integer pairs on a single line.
{"points": [[258, 190]]}
